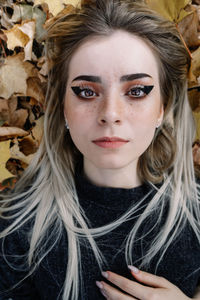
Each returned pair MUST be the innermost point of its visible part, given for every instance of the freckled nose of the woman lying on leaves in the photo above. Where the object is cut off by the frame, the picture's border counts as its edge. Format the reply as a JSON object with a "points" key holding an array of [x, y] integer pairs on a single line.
{"points": [[111, 111]]}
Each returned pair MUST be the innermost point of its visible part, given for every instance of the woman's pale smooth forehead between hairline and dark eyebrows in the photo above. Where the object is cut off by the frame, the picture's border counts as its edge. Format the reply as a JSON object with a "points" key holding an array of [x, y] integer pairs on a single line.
{"points": [[113, 56]]}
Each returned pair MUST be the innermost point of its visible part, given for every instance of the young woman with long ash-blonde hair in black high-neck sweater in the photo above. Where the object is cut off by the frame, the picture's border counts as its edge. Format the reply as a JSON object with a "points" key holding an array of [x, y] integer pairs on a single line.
{"points": [[115, 189]]}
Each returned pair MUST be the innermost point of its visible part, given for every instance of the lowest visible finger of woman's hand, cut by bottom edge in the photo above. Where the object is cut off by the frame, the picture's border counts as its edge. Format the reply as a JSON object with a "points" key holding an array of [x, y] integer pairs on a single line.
{"points": [[110, 292]]}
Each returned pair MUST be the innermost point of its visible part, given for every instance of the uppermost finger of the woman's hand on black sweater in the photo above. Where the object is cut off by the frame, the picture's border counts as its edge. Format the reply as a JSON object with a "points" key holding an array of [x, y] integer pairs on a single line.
{"points": [[150, 279]]}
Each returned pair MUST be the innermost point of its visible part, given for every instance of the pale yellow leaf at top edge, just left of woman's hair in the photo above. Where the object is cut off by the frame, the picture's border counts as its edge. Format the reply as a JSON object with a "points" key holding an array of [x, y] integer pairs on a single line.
{"points": [[56, 6]]}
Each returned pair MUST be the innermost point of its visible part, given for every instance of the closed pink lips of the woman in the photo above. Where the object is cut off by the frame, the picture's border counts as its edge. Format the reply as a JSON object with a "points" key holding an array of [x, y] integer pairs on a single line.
{"points": [[110, 142]]}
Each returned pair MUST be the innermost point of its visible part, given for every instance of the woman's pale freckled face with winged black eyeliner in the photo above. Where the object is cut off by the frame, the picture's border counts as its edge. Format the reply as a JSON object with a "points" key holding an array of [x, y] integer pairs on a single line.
{"points": [[113, 101]]}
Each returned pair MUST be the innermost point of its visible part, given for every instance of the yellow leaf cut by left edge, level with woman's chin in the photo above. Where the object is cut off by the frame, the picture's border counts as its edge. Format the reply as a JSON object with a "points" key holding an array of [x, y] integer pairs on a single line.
{"points": [[4, 156]]}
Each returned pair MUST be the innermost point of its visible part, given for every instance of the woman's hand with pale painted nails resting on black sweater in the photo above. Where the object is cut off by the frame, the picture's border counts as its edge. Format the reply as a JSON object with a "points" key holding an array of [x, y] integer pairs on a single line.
{"points": [[158, 288]]}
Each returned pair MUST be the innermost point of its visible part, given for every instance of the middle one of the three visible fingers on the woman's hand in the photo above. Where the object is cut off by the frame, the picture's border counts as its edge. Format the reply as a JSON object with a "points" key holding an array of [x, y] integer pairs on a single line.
{"points": [[131, 287]]}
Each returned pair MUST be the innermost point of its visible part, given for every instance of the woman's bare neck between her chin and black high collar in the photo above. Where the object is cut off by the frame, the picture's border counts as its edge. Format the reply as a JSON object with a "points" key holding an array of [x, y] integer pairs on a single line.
{"points": [[125, 177]]}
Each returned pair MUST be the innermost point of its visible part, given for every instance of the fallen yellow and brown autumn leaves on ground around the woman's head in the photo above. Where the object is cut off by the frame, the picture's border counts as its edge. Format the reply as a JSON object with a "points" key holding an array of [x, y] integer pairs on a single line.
{"points": [[23, 73]]}
